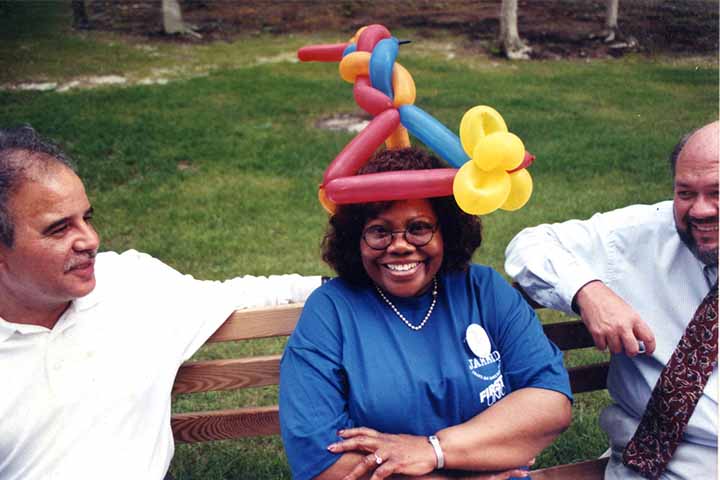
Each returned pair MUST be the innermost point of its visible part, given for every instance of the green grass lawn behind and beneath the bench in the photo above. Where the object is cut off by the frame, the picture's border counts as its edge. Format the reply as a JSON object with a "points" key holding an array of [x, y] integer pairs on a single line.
{"points": [[217, 174]]}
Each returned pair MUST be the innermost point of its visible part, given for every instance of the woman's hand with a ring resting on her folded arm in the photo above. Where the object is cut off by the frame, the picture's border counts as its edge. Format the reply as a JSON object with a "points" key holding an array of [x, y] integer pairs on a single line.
{"points": [[387, 454]]}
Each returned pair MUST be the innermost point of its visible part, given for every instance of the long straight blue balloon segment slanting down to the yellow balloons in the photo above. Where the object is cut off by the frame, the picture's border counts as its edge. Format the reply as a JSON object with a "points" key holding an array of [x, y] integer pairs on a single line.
{"points": [[433, 134]]}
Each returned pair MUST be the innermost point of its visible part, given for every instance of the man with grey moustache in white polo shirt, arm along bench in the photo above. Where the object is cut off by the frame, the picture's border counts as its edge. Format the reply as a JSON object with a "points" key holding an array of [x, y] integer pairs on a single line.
{"points": [[90, 342]]}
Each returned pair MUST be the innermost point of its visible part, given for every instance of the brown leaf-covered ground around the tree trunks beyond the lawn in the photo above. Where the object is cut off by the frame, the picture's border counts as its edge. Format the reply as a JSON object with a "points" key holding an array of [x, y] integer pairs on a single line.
{"points": [[554, 28]]}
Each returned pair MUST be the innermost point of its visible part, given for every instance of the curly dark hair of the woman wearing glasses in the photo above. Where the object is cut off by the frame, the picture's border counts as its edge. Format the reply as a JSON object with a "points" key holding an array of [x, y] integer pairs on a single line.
{"points": [[461, 232]]}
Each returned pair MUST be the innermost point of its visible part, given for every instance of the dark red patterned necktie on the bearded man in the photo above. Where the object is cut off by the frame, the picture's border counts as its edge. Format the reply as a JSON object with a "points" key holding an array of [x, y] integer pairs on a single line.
{"points": [[676, 393]]}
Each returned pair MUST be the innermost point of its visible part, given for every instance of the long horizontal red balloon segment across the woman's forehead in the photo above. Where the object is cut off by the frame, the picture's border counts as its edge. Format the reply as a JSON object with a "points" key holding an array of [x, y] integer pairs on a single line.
{"points": [[390, 186]]}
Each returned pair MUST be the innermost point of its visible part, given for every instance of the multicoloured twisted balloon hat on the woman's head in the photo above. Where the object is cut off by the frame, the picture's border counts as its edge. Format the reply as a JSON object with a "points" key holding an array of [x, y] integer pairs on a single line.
{"points": [[489, 162]]}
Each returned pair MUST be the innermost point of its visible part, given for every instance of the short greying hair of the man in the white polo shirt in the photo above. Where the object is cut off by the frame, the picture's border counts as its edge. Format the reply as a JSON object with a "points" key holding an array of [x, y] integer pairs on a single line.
{"points": [[22, 151]]}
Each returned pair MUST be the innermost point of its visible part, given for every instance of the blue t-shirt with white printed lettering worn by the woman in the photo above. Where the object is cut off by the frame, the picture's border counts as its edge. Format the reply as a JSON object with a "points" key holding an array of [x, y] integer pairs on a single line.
{"points": [[352, 362]]}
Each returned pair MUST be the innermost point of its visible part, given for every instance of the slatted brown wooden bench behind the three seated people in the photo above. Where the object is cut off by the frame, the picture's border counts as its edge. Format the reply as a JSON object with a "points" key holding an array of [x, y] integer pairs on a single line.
{"points": [[237, 373]]}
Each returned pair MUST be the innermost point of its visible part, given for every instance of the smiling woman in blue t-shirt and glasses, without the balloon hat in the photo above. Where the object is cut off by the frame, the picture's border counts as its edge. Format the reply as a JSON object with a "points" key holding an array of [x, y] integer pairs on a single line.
{"points": [[412, 360]]}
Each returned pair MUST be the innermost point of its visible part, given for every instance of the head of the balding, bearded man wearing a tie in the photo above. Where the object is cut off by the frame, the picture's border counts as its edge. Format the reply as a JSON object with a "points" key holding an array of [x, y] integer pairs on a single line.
{"points": [[695, 185]]}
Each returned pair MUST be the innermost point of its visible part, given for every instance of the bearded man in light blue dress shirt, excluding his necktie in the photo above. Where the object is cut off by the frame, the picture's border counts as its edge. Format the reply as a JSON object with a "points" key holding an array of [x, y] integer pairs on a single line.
{"points": [[636, 276]]}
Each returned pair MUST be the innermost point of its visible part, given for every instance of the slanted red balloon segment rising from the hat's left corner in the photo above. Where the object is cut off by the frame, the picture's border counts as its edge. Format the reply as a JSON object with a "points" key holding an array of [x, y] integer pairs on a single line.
{"points": [[360, 148]]}
